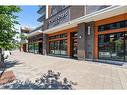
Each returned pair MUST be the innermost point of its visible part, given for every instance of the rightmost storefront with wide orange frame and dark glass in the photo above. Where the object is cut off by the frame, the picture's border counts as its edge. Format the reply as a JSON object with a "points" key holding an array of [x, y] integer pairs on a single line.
{"points": [[111, 38]]}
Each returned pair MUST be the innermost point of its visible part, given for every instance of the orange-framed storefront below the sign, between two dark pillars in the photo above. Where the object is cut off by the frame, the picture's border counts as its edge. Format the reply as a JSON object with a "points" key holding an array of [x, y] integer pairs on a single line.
{"points": [[63, 43]]}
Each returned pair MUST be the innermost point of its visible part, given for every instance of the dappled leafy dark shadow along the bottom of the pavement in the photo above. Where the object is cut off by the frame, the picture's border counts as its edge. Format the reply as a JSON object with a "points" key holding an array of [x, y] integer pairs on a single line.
{"points": [[50, 80]]}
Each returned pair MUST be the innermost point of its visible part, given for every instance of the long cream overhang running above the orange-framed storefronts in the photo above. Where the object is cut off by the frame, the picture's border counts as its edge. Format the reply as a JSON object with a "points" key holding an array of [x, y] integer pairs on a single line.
{"points": [[95, 16]]}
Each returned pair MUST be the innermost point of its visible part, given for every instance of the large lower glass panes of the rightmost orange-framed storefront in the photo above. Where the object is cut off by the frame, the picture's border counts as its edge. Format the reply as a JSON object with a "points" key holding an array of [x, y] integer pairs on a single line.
{"points": [[111, 46]]}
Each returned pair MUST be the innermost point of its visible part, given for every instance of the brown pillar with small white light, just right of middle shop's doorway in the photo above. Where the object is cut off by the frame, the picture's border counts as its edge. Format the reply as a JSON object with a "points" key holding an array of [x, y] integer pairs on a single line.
{"points": [[81, 41]]}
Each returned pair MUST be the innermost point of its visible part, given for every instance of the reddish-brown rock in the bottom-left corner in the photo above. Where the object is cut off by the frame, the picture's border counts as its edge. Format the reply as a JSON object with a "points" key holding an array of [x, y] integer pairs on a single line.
{"points": [[7, 77]]}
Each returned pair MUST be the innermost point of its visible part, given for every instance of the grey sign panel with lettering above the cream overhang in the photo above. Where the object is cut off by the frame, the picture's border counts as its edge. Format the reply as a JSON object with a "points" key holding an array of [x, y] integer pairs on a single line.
{"points": [[59, 19]]}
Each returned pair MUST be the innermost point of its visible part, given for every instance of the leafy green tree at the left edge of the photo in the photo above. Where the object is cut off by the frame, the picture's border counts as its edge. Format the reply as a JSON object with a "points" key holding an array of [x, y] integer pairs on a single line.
{"points": [[8, 20]]}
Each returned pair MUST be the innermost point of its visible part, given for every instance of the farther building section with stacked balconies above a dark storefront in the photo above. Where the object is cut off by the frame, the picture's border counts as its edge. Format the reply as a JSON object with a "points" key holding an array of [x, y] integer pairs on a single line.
{"points": [[35, 38]]}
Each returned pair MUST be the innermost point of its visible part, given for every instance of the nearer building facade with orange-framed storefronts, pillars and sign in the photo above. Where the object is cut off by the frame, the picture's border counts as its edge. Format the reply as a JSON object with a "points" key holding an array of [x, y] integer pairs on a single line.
{"points": [[86, 32]]}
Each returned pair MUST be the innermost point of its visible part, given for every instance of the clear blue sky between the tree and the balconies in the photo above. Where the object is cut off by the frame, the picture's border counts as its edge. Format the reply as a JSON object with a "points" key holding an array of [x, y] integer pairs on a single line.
{"points": [[28, 16]]}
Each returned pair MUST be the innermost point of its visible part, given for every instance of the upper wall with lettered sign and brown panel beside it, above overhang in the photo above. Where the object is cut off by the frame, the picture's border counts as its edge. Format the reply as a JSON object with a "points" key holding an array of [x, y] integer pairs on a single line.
{"points": [[63, 15]]}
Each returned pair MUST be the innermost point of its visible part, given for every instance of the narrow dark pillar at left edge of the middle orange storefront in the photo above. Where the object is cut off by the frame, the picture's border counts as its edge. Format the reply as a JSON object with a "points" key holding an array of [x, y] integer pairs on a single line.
{"points": [[45, 44]]}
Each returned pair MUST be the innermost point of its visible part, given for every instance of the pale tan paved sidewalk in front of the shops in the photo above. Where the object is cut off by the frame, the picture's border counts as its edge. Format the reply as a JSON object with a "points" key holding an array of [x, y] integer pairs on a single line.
{"points": [[88, 75]]}
